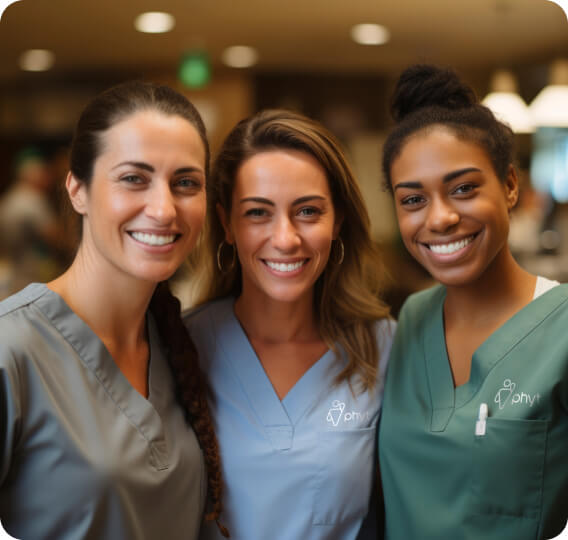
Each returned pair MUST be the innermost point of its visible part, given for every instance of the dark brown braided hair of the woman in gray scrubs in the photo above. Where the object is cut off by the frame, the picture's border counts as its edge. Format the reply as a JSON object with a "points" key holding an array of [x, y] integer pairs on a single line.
{"points": [[106, 110]]}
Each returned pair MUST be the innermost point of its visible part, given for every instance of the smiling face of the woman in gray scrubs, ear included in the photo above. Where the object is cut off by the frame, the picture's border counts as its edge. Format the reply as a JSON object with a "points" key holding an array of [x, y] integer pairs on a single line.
{"points": [[145, 204]]}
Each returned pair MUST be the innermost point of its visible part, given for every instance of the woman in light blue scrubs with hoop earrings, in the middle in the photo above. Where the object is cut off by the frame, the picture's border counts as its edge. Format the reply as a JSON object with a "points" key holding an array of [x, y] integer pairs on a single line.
{"points": [[293, 334]]}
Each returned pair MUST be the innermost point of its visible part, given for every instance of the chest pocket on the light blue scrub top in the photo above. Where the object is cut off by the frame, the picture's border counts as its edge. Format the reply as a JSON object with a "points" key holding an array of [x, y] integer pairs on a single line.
{"points": [[344, 477]]}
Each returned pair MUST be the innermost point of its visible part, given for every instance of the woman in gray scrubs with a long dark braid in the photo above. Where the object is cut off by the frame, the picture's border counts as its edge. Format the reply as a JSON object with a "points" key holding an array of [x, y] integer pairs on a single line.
{"points": [[98, 377]]}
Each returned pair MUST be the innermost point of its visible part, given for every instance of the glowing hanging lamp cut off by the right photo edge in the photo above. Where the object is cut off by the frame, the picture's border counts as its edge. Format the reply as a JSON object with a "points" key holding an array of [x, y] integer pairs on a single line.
{"points": [[550, 107]]}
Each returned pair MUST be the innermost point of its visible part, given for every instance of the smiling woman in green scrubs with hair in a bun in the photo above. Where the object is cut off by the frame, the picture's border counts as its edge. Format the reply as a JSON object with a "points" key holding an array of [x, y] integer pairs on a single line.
{"points": [[474, 429]]}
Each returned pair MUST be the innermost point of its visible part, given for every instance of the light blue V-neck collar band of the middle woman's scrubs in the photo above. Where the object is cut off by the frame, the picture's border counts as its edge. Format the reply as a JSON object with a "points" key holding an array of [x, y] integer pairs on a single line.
{"points": [[277, 416]]}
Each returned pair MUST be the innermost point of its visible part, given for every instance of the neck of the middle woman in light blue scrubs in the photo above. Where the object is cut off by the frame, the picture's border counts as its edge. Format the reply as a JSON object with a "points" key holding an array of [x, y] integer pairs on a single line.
{"points": [[277, 322]]}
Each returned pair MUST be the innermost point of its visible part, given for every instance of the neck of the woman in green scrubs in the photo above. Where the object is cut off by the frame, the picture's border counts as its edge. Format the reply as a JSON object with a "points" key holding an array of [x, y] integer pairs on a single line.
{"points": [[501, 290]]}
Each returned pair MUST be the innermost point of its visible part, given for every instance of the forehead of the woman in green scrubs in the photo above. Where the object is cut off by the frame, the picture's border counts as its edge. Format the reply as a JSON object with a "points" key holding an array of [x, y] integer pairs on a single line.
{"points": [[436, 151]]}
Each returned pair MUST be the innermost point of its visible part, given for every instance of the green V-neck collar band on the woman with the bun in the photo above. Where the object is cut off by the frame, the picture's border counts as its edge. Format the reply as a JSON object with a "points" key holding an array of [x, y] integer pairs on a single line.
{"points": [[445, 397]]}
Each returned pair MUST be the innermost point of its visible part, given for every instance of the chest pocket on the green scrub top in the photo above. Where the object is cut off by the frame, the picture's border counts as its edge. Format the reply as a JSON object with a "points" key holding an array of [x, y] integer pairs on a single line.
{"points": [[508, 470]]}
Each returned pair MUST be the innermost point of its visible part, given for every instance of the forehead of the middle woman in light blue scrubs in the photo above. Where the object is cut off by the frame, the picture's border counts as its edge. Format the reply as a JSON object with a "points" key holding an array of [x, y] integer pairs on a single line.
{"points": [[279, 173]]}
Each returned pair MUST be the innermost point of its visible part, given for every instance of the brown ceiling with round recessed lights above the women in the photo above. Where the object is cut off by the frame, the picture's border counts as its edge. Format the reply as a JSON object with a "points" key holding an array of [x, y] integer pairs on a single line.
{"points": [[92, 36]]}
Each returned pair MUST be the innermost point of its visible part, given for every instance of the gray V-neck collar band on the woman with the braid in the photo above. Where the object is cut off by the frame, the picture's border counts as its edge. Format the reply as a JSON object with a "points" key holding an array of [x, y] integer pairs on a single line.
{"points": [[96, 358]]}
